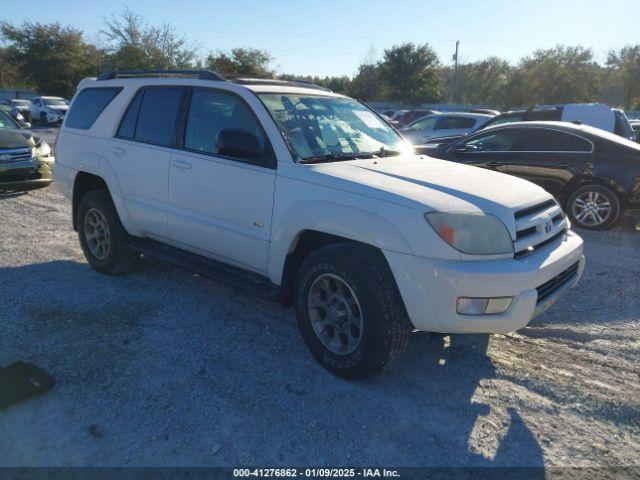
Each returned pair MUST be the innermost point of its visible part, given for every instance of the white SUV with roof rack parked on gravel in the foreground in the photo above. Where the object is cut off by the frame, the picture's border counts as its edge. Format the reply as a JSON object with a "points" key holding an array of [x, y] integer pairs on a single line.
{"points": [[308, 197]]}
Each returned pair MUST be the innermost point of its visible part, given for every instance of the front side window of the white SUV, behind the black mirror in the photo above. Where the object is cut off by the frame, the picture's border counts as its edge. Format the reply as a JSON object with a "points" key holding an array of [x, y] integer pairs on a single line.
{"points": [[222, 124]]}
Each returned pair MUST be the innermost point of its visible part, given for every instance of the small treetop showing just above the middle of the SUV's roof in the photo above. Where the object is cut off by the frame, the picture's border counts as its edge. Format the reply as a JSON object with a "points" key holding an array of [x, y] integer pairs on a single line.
{"points": [[248, 62]]}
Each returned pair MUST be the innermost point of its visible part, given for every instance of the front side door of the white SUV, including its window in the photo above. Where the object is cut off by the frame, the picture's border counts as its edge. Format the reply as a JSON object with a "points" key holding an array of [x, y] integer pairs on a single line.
{"points": [[221, 201]]}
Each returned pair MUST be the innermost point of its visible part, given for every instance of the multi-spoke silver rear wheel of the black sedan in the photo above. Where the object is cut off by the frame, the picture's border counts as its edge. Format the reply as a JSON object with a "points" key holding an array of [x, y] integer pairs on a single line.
{"points": [[593, 207]]}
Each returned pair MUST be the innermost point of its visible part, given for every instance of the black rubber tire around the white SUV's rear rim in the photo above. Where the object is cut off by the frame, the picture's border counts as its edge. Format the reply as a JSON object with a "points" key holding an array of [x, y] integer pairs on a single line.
{"points": [[119, 258]]}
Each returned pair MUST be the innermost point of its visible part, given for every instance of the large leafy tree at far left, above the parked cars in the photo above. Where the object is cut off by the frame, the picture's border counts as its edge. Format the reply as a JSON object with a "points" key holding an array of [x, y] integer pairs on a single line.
{"points": [[52, 57]]}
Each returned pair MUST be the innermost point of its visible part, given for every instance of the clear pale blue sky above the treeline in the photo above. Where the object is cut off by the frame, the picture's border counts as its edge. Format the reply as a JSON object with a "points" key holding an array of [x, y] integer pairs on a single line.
{"points": [[332, 37]]}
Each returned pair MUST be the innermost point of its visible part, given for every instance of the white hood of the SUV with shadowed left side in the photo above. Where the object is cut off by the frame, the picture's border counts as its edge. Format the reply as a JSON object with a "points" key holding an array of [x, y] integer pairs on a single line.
{"points": [[434, 185]]}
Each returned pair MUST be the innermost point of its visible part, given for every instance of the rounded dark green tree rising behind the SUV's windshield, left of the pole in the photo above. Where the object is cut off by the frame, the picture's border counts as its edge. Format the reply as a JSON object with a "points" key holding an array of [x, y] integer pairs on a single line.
{"points": [[409, 74]]}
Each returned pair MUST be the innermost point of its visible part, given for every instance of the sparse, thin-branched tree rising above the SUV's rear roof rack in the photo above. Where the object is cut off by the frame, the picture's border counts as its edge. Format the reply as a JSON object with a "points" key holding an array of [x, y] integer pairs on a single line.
{"points": [[136, 45]]}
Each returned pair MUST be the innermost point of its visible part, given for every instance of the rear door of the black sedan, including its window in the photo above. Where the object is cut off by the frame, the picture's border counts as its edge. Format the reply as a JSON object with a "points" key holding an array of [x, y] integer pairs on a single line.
{"points": [[549, 157]]}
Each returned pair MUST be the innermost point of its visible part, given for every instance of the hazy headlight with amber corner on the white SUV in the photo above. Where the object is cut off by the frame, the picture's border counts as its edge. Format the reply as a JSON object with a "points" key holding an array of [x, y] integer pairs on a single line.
{"points": [[475, 234]]}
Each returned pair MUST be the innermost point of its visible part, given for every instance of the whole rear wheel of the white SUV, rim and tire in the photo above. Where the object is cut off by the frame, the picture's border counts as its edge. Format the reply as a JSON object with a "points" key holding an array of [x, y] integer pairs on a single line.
{"points": [[104, 241]]}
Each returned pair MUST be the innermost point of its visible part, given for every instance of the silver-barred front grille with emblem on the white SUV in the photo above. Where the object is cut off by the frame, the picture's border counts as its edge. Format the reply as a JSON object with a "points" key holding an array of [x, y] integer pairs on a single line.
{"points": [[538, 226]]}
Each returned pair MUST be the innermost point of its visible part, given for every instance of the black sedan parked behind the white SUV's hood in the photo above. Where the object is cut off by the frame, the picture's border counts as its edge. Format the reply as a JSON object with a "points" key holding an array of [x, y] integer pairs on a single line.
{"points": [[593, 173]]}
